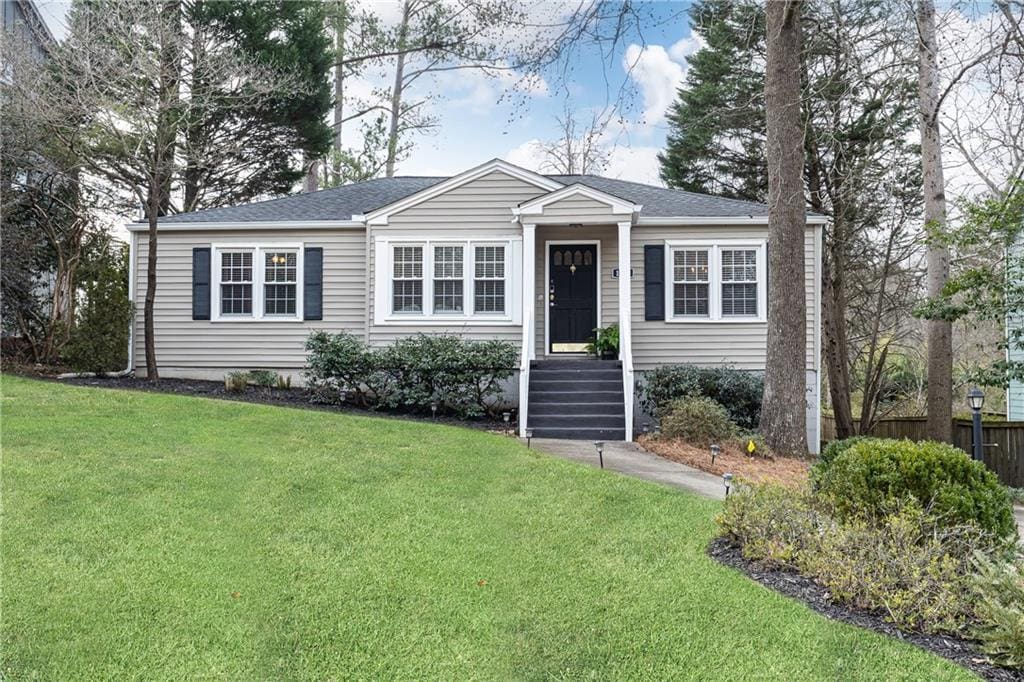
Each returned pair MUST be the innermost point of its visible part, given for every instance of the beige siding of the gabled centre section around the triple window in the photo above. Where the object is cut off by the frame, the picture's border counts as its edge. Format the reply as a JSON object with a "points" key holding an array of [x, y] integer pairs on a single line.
{"points": [[480, 209]]}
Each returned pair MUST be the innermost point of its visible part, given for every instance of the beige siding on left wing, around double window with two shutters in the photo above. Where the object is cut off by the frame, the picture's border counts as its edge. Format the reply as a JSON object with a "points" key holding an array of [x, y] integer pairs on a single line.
{"points": [[184, 344]]}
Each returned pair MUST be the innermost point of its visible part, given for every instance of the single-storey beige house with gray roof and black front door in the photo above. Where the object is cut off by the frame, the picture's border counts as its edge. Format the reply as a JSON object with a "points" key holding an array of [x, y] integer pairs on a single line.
{"points": [[497, 252]]}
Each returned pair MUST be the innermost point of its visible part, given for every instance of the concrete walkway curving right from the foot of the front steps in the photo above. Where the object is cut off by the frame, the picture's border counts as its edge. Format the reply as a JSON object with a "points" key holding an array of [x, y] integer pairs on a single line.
{"points": [[630, 459]]}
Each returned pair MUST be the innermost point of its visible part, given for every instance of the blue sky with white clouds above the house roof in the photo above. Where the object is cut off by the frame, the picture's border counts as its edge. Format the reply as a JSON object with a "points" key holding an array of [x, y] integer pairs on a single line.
{"points": [[477, 124]]}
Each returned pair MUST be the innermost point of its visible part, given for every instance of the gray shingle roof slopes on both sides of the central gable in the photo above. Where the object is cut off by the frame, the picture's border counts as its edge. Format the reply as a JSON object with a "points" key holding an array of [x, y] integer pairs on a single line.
{"points": [[344, 203]]}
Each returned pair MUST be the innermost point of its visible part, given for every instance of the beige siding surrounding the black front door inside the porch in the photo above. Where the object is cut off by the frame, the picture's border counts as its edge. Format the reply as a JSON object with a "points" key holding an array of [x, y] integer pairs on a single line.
{"points": [[609, 237]]}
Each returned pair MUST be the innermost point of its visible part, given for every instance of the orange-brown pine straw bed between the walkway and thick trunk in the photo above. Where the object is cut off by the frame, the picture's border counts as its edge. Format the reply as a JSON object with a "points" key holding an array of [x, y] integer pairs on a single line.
{"points": [[786, 471]]}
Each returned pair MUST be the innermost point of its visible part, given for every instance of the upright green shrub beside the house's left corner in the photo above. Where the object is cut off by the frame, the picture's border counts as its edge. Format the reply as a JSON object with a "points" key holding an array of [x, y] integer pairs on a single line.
{"points": [[100, 340]]}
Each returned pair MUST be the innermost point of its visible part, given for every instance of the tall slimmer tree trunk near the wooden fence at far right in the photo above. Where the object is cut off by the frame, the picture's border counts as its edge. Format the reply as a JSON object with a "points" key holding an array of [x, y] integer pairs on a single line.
{"points": [[941, 348]]}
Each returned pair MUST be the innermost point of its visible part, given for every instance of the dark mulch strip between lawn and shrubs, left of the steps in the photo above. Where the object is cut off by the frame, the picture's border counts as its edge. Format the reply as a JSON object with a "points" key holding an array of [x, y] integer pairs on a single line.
{"points": [[289, 398]]}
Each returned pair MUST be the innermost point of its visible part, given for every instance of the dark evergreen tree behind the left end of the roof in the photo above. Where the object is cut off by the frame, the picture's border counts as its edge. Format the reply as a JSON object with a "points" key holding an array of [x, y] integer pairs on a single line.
{"points": [[236, 154]]}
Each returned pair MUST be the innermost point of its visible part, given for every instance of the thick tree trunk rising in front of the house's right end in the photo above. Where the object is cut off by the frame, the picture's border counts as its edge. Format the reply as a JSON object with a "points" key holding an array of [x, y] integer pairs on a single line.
{"points": [[784, 415]]}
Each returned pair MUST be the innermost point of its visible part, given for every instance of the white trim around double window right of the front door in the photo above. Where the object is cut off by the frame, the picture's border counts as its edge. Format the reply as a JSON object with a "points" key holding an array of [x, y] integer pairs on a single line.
{"points": [[715, 248]]}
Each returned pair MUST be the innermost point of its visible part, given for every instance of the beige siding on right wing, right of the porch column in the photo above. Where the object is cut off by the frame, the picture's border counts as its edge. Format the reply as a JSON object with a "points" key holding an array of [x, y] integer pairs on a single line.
{"points": [[708, 344]]}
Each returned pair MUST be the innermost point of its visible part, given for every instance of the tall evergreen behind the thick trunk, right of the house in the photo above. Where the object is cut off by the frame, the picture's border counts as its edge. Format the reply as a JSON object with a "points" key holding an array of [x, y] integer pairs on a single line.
{"points": [[860, 112]]}
